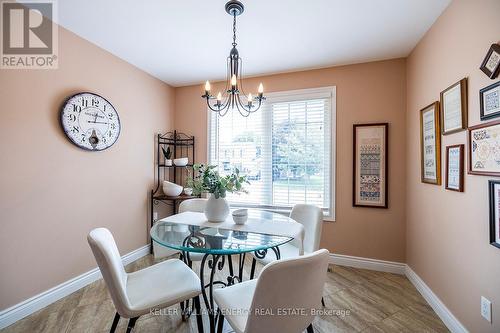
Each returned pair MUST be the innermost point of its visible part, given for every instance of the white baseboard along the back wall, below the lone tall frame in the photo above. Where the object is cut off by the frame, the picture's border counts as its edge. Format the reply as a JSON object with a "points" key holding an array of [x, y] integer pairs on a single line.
{"points": [[368, 263]]}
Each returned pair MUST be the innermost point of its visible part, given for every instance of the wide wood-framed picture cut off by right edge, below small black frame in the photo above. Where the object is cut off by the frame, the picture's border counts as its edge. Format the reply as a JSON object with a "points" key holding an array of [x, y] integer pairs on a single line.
{"points": [[484, 154]]}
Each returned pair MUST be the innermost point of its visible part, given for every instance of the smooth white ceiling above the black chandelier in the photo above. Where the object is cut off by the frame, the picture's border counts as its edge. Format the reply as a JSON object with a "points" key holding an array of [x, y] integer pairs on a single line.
{"points": [[187, 41]]}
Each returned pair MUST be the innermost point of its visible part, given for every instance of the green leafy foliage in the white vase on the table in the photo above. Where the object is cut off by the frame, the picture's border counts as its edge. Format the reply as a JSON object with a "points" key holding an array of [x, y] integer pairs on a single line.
{"points": [[208, 180]]}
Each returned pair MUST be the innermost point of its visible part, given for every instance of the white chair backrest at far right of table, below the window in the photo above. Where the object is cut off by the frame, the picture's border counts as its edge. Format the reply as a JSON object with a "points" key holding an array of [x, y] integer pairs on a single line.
{"points": [[311, 217]]}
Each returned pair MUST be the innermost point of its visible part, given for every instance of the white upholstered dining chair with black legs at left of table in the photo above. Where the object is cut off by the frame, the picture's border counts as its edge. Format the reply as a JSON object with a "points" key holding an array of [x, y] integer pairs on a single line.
{"points": [[155, 287]]}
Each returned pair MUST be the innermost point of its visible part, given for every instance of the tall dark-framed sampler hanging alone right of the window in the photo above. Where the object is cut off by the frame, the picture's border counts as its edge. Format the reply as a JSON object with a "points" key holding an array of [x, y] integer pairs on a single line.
{"points": [[370, 165]]}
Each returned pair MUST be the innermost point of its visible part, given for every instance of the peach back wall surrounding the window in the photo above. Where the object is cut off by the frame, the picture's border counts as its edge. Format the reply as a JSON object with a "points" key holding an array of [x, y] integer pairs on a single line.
{"points": [[370, 92]]}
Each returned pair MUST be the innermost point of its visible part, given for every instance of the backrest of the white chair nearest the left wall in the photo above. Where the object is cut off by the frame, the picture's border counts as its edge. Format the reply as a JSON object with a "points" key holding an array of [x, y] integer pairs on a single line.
{"points": [[108, 259]]}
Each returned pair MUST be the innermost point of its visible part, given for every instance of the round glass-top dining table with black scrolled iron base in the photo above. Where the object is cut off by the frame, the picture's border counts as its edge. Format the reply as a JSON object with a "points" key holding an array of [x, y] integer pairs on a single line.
{"points": [[218, 245]]}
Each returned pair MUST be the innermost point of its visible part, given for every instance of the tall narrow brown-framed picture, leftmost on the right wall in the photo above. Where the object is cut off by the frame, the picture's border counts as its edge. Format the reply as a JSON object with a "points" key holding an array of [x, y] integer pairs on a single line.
{"points": [[430, 144]]}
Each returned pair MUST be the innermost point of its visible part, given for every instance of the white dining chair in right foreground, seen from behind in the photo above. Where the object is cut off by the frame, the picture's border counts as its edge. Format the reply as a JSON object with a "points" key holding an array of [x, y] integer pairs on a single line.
{"points": [[262, 305]]}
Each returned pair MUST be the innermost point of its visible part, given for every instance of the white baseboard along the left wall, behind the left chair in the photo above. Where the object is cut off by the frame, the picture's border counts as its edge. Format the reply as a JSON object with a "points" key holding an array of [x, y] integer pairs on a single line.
{"points": [[35, 303]]}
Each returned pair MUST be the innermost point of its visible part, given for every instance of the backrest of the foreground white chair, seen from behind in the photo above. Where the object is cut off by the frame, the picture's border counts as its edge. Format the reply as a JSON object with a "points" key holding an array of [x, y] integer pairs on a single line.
{"points": [[295, 283]]}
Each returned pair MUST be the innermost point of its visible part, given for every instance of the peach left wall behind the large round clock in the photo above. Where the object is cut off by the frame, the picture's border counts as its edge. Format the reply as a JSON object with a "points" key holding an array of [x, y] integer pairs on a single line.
{"points": [[52, 193]]}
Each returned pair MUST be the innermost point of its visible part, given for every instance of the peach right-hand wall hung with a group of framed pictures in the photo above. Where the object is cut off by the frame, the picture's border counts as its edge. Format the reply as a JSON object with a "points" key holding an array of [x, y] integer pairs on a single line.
{"points": [[447, 232]]}
